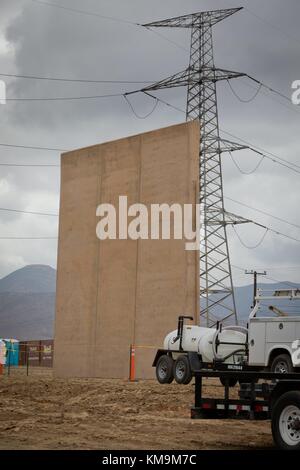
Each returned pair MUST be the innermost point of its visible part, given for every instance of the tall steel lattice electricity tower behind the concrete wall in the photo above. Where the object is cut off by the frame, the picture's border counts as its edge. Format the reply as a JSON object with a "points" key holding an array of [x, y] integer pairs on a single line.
{"points": [[216, 287]]}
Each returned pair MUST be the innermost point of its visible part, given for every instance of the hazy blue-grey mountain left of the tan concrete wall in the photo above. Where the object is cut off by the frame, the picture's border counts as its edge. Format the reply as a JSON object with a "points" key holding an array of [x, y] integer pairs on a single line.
{"points": [[27, 303]]}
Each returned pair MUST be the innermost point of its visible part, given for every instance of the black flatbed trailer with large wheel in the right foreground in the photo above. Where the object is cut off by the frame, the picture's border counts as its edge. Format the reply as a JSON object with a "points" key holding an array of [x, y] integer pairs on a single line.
{"points": [[276, 399]]}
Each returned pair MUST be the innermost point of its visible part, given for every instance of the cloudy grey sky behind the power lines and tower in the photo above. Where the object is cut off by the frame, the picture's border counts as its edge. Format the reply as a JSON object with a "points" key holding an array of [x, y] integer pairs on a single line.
{"points": [[262, 40]]}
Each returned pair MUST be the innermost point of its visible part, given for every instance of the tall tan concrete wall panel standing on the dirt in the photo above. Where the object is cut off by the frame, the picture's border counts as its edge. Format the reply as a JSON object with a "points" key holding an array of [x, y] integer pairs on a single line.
{"points": [[114, 293]]}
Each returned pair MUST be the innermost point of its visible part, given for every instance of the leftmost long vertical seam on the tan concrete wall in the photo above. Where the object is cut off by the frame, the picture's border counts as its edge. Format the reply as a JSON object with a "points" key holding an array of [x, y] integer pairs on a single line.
{"points": [[99, 192]]}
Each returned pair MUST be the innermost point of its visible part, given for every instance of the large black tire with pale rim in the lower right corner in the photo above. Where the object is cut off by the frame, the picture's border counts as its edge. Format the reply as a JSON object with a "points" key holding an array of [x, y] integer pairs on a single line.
{"points": [[286, 421]]}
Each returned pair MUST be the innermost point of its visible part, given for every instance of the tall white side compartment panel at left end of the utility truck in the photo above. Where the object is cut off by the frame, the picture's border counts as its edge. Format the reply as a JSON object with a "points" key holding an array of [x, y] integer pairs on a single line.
{"points": [[257, 341]]}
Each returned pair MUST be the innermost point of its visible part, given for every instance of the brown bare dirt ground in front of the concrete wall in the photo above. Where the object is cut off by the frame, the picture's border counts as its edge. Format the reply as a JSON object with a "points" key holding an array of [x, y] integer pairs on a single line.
{"points": [[41, 412]]}
